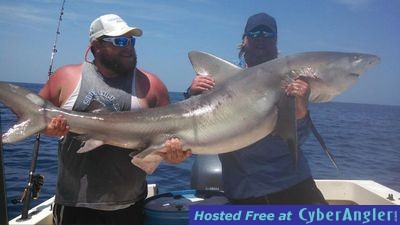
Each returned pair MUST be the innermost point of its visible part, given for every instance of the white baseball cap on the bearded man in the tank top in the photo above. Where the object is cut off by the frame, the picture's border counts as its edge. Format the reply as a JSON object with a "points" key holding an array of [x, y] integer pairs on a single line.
{"points": [[111, 25]]}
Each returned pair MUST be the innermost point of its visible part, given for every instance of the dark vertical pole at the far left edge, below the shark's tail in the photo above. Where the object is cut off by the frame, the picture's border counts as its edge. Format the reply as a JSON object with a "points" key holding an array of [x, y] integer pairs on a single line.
{"points": [[3, 195]]}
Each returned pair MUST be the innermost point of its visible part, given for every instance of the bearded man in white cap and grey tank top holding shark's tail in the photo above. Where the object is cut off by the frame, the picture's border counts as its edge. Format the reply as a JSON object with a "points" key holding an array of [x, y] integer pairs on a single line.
{"points": [[102, 186]]}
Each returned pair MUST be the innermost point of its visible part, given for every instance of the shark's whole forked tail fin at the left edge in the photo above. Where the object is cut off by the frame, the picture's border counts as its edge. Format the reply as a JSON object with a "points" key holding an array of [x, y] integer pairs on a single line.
{"points": [[28, 108]]}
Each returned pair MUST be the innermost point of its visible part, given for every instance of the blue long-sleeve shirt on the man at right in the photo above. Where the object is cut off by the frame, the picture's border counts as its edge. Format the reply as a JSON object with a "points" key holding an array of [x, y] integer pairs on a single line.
{"points": [[265, 167]]}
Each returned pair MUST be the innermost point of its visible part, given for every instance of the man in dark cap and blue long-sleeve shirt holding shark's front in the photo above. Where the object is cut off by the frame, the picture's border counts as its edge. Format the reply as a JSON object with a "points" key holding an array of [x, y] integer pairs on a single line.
{"points": [[264, 172]]}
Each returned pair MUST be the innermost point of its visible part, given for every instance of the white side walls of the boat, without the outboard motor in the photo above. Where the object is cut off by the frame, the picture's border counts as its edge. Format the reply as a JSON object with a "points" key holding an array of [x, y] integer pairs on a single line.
{"points": [[336, 192]]}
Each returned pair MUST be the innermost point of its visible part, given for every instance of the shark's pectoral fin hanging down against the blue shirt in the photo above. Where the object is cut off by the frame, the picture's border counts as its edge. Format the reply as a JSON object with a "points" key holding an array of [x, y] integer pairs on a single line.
{"points": [[286, 126]]}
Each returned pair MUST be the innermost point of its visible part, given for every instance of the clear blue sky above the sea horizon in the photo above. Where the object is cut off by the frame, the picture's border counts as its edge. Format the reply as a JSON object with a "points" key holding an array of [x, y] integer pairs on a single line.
{"points": [[173, 28]]}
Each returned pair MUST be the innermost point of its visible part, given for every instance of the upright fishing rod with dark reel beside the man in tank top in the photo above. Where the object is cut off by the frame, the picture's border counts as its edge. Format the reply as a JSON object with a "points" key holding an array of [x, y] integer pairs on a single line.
{"points": [[35, 182]]}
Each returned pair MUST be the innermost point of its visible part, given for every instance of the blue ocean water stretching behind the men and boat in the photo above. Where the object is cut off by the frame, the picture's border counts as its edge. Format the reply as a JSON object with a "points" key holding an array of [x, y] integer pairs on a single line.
{"points": [[365, 140]]}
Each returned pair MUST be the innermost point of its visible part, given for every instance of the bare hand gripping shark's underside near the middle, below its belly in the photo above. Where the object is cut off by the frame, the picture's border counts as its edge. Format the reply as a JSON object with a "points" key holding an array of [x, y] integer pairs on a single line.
{"points": [[174, 153]]}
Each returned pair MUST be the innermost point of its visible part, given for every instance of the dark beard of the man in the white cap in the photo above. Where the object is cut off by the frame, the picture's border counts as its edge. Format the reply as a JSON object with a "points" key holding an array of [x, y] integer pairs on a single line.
{"points": [[116, 65]]}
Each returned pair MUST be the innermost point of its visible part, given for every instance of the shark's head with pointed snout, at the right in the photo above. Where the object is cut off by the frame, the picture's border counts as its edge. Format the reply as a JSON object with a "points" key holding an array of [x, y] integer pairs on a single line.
{"points": [[329, 73]]}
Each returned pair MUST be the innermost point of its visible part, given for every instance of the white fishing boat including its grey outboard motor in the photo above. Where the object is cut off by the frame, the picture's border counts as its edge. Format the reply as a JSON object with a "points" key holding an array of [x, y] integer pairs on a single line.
{"points": [[206, 176]]}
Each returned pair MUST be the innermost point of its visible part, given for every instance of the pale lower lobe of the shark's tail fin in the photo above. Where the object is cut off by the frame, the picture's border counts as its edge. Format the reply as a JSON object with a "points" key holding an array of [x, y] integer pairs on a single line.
{"points": [[23, 129]]}
